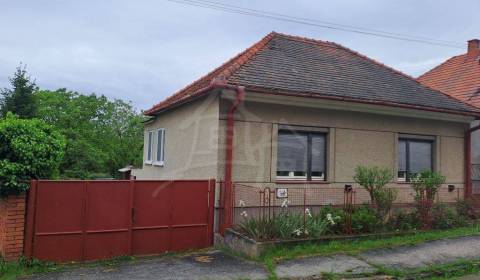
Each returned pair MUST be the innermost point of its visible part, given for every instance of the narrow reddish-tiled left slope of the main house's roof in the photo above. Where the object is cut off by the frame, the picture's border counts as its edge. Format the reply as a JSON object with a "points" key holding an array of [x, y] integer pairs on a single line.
{"points": [[226, 69]]}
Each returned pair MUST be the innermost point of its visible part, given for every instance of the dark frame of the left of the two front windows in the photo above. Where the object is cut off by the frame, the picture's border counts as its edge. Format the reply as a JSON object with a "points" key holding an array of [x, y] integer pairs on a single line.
{"points": [[308, 177]]}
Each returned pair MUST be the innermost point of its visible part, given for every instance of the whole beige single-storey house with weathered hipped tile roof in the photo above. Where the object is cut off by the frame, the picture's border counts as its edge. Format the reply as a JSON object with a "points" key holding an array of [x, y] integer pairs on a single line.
{"points": [[291, 112]]}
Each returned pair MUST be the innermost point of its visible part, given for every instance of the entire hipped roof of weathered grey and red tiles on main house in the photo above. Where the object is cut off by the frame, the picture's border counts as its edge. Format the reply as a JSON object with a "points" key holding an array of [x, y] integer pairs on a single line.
{"points": [[301, 66]]}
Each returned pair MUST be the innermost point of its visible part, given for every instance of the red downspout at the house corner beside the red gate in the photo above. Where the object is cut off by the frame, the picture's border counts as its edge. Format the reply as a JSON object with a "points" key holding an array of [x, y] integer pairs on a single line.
{"points": [[228, 184]]}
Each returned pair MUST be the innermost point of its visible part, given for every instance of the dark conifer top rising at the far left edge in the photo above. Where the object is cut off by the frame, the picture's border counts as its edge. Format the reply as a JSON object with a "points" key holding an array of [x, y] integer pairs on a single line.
{"points": [[20, 99]]}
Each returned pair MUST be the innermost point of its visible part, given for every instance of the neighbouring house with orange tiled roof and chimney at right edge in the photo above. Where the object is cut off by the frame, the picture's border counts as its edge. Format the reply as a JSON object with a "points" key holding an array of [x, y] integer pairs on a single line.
{"points": [[459, 77]]}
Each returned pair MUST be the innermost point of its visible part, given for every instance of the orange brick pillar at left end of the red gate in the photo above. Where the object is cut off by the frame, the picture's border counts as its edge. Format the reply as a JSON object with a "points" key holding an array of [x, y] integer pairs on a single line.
{"points": [[12, 226]]}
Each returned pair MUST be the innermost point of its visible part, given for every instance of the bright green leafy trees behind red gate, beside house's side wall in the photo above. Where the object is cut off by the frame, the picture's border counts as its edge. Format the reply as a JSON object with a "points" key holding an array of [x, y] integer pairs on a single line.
{"points": [[102, 135]]}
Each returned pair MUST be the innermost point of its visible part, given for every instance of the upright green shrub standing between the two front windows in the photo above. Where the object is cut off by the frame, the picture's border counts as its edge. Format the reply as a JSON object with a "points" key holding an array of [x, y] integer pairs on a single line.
{"points": [[374, 179]]}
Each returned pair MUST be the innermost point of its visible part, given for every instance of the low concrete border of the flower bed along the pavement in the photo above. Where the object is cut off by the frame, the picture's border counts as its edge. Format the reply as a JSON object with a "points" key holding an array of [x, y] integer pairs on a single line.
{"points": [[244, 245]]}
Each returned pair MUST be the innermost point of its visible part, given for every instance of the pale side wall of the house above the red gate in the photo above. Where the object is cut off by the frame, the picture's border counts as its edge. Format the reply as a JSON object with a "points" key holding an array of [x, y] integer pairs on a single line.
{"points": [[191, 142]]}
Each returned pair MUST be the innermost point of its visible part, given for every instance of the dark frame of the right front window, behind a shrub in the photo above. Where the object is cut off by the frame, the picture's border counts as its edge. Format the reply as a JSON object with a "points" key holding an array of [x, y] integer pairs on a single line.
{"points": [[418, 139]]}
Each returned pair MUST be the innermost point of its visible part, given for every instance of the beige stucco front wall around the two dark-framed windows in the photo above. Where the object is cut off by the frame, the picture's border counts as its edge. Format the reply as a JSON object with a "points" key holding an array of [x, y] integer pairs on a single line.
{"points": [[355, 138]]}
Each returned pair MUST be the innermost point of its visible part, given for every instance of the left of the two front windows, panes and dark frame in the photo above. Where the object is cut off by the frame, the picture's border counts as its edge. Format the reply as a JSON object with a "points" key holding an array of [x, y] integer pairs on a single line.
{"points": [[301, 155]]}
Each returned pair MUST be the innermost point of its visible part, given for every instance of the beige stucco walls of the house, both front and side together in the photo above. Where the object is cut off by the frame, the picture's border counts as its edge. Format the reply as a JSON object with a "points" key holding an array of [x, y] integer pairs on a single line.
{"points": [[195, 145]]}
